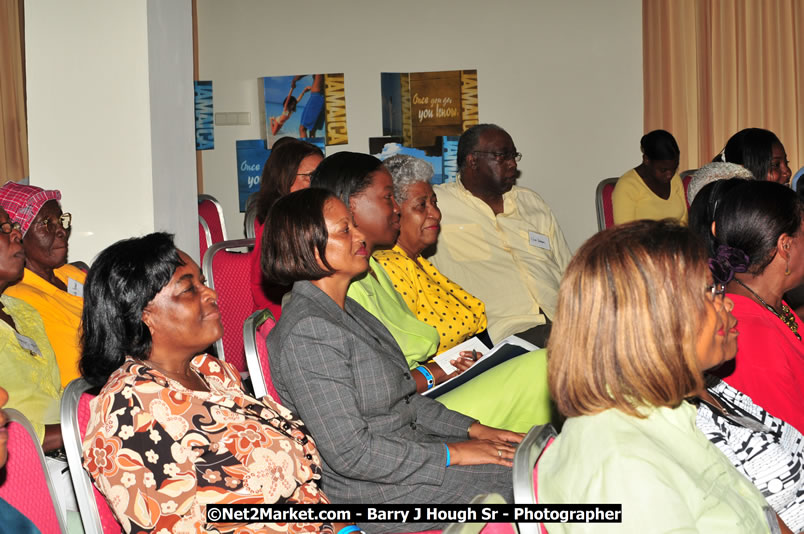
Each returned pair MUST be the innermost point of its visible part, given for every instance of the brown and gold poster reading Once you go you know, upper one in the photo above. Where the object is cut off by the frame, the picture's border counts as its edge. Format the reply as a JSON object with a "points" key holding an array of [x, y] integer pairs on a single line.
{"points": [[422, 106]]}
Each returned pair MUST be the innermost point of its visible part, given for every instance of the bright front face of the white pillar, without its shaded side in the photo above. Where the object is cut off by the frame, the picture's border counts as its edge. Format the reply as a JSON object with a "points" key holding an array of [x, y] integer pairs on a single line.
{"points": [[88, 115]]}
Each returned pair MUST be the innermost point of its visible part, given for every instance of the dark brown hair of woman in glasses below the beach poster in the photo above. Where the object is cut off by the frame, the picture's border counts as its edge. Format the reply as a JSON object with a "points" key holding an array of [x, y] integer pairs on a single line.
{"points": [[279, 172]]}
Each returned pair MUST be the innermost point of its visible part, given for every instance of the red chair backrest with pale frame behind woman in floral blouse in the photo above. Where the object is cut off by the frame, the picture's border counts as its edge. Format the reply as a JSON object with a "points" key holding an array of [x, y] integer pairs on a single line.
{"points": [[95, 512]]}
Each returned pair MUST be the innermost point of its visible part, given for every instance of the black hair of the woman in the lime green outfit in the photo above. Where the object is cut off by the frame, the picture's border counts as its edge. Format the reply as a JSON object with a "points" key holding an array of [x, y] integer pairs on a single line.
{"points": [[345, 174]]}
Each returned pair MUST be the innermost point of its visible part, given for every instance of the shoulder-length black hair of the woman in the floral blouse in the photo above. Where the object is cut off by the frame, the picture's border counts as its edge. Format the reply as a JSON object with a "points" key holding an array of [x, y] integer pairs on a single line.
{"points": [[123, 279]]}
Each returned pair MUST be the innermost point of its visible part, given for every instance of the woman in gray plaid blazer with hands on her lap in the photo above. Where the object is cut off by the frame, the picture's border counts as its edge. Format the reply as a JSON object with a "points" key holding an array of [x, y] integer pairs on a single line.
{"points": [[340, 369]]}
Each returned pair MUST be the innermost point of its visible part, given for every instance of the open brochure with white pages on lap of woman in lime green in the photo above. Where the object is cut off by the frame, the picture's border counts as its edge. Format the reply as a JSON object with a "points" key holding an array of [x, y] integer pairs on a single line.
{"points": [[508, 348]]}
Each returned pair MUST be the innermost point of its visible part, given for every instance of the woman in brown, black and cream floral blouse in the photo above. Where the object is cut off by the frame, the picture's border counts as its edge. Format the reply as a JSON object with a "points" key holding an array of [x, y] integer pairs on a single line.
{"points": [[173, 431]]}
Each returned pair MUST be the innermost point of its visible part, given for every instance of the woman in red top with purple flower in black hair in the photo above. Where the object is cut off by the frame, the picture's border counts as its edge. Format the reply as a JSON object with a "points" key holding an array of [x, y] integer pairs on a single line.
{"points": [[758, 251]]}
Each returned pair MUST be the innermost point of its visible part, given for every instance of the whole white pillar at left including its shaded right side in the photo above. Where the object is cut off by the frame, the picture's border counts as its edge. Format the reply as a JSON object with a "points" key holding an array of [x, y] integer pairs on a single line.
{"points": [[91, 130]]}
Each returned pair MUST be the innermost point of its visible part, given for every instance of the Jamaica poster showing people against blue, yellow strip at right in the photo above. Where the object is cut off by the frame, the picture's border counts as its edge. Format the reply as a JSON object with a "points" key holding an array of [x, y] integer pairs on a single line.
{"points": [[304, 106]]}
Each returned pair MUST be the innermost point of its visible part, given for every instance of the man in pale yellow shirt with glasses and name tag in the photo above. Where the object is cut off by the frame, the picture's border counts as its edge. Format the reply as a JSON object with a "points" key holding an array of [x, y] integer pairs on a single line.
{"points": [[499, 241]]}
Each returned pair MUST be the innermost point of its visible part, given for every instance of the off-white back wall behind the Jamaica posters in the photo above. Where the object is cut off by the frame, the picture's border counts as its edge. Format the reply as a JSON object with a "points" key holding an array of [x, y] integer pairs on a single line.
{"points": [[563, 77]]}
